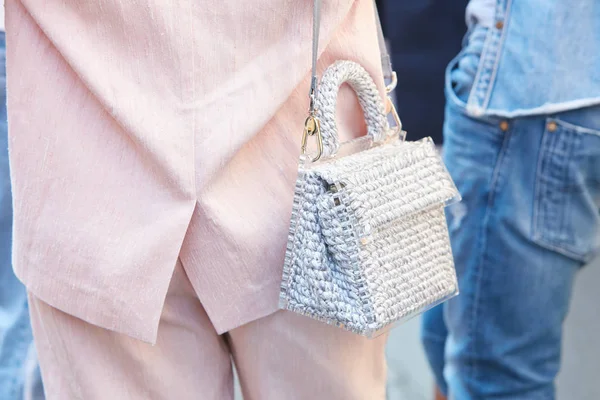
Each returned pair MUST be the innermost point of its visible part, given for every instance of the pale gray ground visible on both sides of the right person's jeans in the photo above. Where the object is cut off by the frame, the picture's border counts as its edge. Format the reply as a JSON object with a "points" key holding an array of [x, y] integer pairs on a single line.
{"points": [[409, 377]]}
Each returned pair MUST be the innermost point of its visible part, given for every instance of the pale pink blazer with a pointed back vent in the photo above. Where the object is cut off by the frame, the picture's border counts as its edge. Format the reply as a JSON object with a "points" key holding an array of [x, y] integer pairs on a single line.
{"points": [[144, 131]]}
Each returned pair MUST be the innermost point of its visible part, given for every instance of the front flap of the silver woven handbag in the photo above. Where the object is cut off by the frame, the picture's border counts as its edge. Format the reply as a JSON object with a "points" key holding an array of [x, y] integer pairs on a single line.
{"points": [[389, 182]]}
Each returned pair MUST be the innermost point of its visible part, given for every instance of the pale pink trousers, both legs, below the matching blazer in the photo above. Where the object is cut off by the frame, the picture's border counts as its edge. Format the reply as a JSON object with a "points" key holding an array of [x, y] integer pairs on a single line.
{"points": [[280, 357]]}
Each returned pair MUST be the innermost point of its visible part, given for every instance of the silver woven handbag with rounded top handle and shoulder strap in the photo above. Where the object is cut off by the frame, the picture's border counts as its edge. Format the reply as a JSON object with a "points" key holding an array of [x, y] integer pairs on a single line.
{"points": [[368, 242]]}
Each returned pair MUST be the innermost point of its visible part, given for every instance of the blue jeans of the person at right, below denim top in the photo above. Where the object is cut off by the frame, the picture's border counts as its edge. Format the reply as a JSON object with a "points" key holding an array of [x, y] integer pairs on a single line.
{"points": [[529, 219]]}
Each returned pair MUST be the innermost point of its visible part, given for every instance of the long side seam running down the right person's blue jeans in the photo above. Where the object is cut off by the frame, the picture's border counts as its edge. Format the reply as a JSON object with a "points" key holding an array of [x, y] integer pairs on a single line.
{"points": [[496, 174]]}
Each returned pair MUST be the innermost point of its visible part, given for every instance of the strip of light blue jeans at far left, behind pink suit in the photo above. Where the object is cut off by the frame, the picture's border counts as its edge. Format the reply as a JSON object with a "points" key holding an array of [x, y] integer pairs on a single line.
{"points": [[16, 342]]}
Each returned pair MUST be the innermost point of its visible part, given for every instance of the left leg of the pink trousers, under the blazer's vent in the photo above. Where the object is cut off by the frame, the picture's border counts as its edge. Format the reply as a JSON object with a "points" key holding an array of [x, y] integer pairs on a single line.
{"points": [[84, 362]]}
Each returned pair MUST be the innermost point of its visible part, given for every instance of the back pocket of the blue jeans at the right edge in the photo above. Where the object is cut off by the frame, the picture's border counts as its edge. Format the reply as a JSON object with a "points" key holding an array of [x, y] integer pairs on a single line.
{"points": [[567, 197]]}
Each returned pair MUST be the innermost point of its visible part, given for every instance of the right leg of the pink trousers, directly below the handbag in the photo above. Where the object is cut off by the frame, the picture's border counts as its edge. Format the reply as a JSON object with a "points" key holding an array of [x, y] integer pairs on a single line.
{"points": [[287, 356]]}
